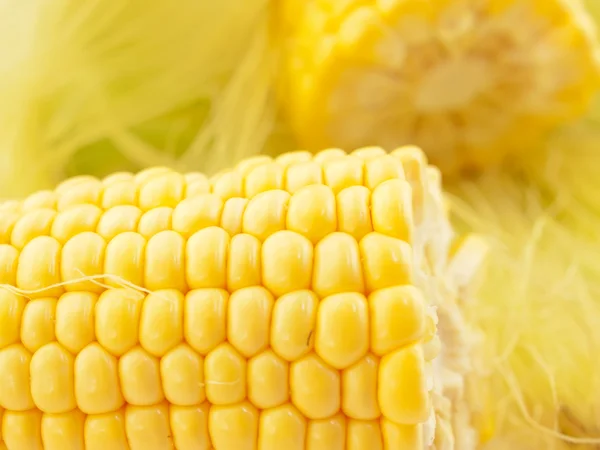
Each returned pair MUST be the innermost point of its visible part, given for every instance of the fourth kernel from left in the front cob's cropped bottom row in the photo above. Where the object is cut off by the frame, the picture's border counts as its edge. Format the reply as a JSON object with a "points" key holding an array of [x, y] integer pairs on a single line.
{"points": [[148, 427]]}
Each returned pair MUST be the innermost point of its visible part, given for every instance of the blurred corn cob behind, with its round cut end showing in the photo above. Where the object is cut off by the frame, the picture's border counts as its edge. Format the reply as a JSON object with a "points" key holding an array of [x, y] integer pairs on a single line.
{"points": [[467, 80]]}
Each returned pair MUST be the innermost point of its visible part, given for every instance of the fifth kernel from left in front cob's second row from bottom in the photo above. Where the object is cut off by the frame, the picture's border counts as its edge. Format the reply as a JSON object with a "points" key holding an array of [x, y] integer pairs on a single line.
{"points": [[182, 374]]}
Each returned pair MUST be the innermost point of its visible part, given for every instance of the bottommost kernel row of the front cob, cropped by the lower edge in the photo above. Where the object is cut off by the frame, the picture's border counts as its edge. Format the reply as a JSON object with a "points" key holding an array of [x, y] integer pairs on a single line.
{"points": [[241, 427]]}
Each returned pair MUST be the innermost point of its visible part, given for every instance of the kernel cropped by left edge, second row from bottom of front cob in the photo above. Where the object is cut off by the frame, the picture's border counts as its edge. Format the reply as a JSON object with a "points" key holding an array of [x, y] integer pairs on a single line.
{"points": [[15, 392]]}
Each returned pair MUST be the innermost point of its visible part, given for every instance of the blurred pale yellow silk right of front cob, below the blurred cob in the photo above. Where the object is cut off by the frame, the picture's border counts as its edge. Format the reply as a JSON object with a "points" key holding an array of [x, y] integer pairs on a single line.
{"points": [[539, 303]]}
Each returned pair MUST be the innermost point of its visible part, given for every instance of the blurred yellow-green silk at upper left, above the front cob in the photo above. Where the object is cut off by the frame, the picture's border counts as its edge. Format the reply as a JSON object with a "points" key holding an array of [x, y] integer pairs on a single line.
{"points": [[105, 85]]}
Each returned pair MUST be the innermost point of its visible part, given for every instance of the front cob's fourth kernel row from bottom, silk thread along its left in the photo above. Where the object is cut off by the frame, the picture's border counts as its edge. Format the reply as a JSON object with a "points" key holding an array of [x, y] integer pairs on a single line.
{"points": [[286, 261]]}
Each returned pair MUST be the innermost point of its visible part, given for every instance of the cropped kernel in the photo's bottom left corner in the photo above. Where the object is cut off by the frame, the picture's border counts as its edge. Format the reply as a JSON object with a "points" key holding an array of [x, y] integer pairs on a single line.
{"points": [[22, 430]]}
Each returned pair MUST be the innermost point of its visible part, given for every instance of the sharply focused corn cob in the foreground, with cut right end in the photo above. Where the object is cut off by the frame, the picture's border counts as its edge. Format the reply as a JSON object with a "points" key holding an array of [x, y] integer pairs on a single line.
{"points": [[289, 303]]}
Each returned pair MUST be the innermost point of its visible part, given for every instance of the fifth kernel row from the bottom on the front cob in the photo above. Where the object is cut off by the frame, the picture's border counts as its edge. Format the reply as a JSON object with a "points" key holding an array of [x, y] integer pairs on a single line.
{"points": [[354, 210]]}
